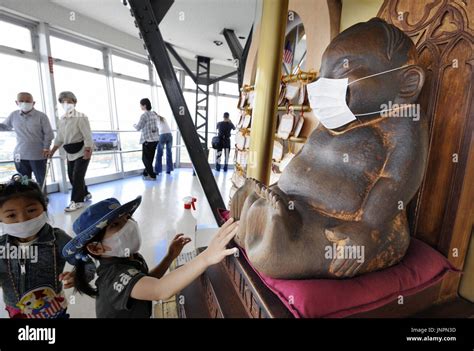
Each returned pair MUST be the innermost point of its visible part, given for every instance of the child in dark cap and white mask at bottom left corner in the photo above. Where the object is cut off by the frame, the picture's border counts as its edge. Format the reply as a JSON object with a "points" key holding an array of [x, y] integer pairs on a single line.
{"points": [[31, 264]]}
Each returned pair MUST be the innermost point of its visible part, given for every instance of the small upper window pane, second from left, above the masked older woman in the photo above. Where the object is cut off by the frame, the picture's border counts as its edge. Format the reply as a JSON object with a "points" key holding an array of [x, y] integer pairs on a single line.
{"points": [[69, 51]]}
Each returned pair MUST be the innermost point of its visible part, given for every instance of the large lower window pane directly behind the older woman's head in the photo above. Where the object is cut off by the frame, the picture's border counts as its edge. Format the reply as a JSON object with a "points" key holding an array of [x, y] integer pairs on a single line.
{"points": [[91, 92]]}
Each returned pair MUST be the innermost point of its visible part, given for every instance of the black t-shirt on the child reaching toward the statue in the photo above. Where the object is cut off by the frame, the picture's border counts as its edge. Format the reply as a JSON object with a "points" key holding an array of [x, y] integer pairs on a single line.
{"points": [[116, 279]]}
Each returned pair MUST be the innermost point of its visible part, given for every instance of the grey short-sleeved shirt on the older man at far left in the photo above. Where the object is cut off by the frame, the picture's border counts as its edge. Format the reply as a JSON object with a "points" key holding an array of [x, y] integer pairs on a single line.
{"points": [[33, 133]]}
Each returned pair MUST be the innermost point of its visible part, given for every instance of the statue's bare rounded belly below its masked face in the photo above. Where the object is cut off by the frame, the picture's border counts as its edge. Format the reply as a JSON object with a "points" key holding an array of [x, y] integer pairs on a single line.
{"points": [[334, 173]]}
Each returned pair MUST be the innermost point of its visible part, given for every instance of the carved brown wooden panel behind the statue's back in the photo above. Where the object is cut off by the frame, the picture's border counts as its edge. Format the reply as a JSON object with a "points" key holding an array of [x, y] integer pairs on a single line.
{"points": [[443, 33]]}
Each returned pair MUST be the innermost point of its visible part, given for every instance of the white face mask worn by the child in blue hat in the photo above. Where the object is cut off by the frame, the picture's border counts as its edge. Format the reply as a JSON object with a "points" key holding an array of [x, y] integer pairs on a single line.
{"points": [[125, 242]]}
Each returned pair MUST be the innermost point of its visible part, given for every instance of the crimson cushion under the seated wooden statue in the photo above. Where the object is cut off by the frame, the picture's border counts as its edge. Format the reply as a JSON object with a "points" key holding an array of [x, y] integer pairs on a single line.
{"points": [[421, 267]]}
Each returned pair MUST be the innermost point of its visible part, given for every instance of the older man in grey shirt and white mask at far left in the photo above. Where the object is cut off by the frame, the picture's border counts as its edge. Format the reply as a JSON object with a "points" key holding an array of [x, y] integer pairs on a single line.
{"points": [[33, 134]]}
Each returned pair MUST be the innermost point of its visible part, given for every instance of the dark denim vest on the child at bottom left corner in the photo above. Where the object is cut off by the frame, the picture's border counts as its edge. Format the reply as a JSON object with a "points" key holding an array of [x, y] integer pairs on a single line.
{"points": [[36, 271]]}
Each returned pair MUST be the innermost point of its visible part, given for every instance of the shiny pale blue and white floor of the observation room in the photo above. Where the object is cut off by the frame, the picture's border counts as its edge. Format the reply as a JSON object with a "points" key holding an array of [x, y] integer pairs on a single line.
{"points": [[161, 206]]}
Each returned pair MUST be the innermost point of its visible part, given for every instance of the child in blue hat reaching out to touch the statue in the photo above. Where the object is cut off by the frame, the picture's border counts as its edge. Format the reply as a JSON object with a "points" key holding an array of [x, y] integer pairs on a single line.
{"points": [[125, 286]]}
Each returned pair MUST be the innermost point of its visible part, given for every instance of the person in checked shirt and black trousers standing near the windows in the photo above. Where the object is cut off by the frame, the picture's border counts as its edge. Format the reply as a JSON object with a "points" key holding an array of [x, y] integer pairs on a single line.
{"points": [[148, 125]]}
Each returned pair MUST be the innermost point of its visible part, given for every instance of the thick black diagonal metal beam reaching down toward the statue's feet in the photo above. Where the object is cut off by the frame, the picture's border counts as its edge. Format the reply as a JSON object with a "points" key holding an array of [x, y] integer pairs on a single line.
{"points": [[144, 13]]}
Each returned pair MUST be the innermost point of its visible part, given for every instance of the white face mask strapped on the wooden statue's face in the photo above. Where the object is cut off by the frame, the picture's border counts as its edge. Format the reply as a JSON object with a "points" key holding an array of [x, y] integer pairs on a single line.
{"points": [[327, 98]]}
